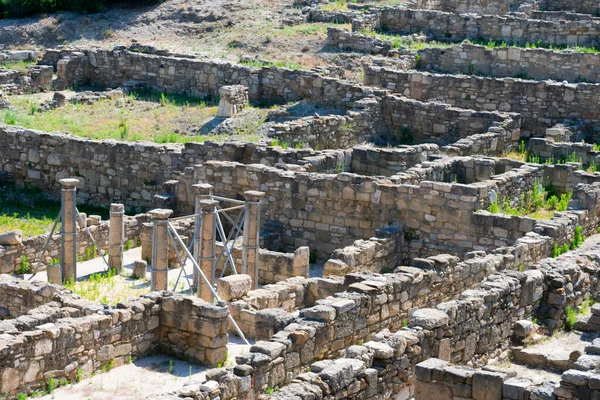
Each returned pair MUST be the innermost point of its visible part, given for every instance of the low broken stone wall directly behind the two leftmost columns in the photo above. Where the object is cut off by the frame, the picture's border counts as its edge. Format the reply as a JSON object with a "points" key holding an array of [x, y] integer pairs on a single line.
{"points": [[32, 246]]}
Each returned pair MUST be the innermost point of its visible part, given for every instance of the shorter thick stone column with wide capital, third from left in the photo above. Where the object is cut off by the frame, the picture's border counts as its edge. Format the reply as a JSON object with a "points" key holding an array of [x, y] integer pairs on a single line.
{"points": [[160, 249]]}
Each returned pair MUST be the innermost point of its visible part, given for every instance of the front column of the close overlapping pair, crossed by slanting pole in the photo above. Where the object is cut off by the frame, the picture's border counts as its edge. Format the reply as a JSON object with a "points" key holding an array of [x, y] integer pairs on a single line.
{"points": [[208, 248]]}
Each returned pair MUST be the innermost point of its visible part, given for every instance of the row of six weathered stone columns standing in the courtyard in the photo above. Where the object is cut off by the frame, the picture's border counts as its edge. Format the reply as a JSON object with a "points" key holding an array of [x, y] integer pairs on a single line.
{"points": [[204, 246]]}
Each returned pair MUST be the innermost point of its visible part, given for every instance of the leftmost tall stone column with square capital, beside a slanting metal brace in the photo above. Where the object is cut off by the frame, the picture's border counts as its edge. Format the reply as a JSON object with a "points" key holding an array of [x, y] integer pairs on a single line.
{"points": [[69, 230]]}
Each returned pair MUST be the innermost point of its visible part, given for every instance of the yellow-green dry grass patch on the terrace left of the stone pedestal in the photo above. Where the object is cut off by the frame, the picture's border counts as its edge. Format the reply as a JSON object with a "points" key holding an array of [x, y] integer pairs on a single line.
{"points": [[156, 117]]}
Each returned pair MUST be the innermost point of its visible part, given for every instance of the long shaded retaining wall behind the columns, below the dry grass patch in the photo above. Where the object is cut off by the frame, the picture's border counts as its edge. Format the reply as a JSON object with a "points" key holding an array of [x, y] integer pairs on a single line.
{"points": [[111, 171]]}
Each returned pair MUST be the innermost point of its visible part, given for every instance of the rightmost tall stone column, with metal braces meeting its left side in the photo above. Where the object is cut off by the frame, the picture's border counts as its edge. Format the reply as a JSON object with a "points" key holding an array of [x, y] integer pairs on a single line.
{"points": [[252, 234]]}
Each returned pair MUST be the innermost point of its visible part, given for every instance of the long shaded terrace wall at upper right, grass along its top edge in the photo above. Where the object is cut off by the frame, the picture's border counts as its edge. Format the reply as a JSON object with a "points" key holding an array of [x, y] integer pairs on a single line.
{"points": [[538, 64]]}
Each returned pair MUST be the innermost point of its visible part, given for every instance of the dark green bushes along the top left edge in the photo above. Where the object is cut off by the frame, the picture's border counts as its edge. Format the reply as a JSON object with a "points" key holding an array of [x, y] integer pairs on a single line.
{"points": [[21, 8]]}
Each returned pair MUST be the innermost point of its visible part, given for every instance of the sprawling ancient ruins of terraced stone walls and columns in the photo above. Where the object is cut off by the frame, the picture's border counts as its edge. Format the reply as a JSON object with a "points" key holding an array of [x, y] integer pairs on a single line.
{"points": [[428, 231]]}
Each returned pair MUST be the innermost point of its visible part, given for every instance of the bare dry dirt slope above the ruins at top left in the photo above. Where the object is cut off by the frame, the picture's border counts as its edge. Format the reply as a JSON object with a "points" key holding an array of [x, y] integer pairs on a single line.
{"points": [[215, 29]]}
